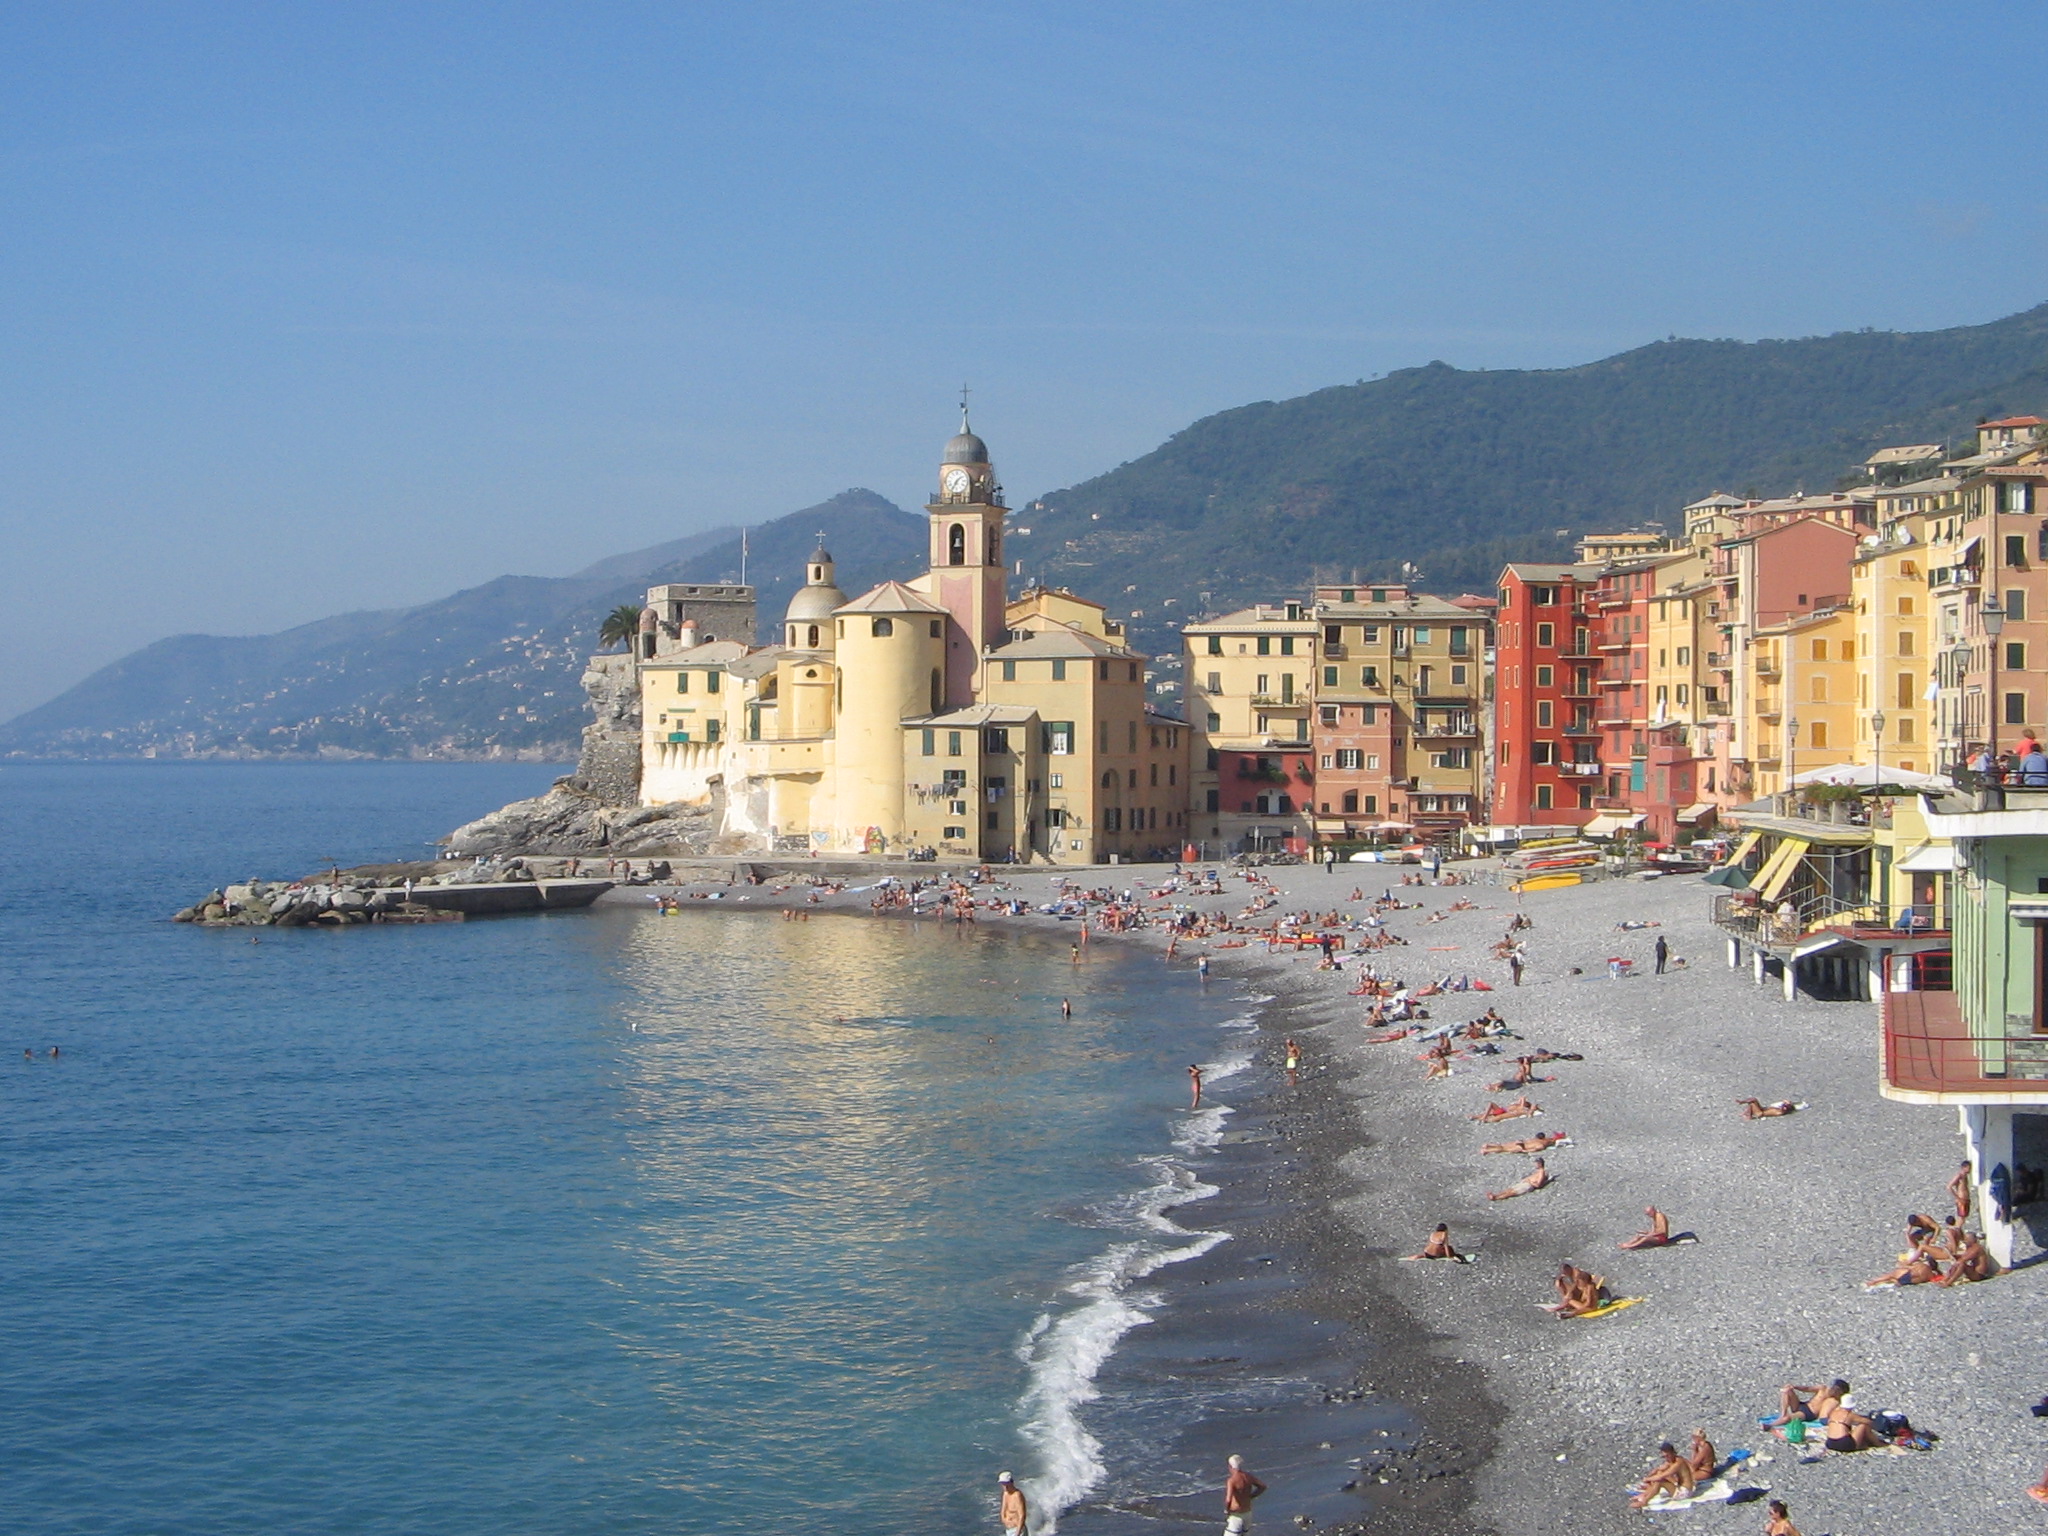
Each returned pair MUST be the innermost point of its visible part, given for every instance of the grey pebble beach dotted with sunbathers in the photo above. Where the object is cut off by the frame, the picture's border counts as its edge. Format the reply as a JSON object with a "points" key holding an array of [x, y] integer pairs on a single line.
{"points": [[1791, 1215]]}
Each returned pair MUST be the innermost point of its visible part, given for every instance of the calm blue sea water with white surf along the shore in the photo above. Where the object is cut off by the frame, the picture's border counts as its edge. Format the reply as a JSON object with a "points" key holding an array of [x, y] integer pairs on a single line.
{"points": [[564, 1224]]}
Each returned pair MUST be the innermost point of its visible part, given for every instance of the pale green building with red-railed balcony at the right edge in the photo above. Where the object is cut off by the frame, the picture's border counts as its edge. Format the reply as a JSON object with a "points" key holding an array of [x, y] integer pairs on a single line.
{"points": [[1977, 1039]]}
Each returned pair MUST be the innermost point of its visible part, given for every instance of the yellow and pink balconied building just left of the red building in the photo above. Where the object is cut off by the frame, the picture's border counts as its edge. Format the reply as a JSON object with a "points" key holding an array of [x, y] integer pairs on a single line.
{"points": [[1400, 720]]}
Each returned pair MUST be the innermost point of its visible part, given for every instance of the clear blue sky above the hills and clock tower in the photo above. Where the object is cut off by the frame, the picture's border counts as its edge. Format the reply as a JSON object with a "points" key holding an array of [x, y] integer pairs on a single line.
{"points": [[310, 308]]}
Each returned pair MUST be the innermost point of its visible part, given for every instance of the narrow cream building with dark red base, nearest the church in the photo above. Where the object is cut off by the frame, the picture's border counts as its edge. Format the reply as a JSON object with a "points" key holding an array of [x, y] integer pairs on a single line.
{"points": [[1250, 689]]}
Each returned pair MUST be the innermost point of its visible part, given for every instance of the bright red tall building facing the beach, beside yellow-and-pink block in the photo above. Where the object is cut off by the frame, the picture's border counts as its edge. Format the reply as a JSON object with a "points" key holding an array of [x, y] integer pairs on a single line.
{"points": [[1547, 685]]}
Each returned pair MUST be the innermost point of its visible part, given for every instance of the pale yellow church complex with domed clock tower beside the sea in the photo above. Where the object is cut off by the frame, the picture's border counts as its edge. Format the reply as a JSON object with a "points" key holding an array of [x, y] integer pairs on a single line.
{"points": [[935, 714]]}
